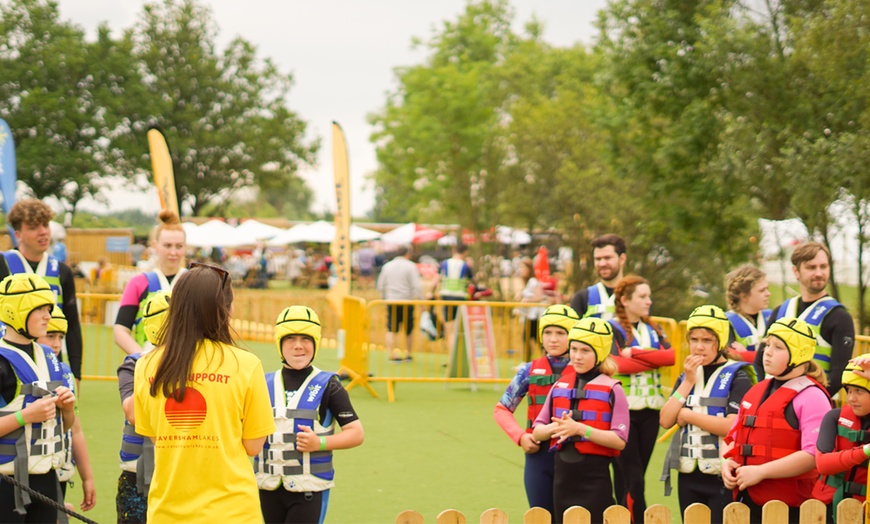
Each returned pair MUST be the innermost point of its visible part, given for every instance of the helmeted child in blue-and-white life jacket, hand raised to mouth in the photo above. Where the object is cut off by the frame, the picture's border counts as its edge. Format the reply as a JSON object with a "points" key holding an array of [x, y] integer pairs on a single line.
{"points": [[704, 402]]}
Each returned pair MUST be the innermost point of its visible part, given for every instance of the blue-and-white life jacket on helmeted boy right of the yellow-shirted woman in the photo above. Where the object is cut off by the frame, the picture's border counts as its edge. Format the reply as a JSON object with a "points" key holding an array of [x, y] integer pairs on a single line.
{"points": [[279, 462]]}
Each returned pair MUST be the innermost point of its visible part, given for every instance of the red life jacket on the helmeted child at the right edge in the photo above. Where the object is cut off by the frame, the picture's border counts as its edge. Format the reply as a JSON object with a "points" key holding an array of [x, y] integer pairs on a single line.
{"points": [[851, 483]]}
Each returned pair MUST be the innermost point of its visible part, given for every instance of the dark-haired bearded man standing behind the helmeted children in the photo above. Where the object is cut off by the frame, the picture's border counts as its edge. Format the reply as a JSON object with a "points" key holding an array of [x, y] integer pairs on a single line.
{"points": [[608, 255]]}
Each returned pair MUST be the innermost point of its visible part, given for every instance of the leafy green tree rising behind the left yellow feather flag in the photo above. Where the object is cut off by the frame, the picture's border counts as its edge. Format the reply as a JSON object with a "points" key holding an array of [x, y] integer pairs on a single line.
{"points": [[224, 114]]}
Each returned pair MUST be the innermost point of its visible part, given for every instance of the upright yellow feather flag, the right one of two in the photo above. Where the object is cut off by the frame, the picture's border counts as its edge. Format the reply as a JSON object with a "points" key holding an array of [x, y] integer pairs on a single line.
{"points": [[340, 247]]}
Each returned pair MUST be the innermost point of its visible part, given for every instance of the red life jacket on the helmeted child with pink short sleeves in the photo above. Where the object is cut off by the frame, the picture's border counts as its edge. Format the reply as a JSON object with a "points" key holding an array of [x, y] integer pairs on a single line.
{"points": [[763, 434]]}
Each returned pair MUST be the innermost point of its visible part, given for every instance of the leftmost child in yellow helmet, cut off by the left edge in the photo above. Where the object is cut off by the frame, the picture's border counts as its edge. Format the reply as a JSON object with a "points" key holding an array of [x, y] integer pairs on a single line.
{"points": [[31, 391]]}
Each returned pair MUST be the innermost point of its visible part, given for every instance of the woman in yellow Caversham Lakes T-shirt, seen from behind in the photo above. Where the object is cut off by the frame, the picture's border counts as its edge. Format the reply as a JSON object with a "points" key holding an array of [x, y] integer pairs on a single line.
{"points": [[205, 405]]}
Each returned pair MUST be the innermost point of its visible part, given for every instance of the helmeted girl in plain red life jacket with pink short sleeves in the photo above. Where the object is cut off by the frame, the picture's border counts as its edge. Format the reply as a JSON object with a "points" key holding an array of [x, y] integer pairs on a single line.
{"points": [[773, 441]]}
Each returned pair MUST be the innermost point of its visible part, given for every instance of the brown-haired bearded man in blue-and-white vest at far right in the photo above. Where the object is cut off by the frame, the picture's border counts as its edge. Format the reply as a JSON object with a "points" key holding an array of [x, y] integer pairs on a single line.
{"points": [[831, 323]]}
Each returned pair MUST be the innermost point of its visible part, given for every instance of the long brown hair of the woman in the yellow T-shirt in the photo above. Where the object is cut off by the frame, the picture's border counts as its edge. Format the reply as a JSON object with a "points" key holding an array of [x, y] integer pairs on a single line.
{"points": [[199, 310]]}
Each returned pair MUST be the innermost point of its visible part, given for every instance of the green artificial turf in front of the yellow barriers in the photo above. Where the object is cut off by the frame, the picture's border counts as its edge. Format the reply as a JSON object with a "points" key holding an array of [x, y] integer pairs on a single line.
{"points": [[436, 447]]}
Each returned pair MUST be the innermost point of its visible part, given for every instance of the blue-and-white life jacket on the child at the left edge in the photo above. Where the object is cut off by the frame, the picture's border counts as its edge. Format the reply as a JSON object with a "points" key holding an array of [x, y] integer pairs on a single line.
{"points": [[35, 448]]}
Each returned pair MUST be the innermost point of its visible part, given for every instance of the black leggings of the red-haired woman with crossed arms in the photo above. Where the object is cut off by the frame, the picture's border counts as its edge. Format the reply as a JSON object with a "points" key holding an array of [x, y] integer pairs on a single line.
{"points": [[630, 468]]}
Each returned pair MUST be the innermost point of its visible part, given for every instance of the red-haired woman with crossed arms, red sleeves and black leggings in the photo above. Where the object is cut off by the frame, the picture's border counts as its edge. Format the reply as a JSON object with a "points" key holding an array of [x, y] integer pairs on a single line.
{"points": [[639, 349]]}
